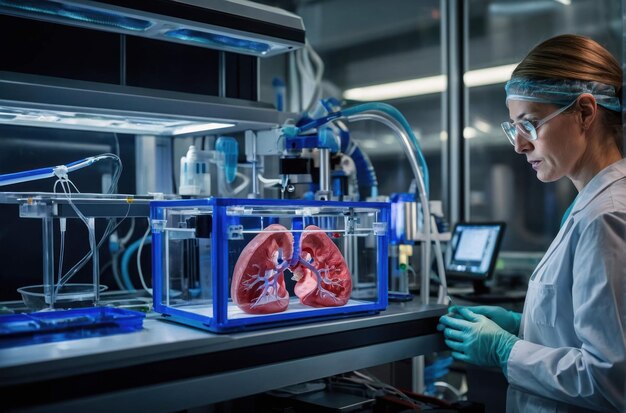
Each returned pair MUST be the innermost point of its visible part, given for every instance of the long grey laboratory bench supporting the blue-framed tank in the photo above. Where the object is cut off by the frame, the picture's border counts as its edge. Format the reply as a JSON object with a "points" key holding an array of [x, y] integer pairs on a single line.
{"points": [[166, 367]]}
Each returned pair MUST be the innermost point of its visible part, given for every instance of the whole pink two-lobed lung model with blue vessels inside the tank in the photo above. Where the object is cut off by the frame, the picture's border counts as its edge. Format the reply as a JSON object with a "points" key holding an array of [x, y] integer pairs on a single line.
{"points": [[320, 271]]}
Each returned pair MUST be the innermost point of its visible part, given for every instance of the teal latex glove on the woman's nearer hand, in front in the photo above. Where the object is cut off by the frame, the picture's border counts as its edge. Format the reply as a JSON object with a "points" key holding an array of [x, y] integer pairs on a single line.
{"points": [[476, 339]]}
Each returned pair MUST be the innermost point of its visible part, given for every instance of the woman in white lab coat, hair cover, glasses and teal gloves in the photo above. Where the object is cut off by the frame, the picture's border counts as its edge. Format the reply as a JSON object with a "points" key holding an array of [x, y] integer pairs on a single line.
{"points": [[567, 351]]}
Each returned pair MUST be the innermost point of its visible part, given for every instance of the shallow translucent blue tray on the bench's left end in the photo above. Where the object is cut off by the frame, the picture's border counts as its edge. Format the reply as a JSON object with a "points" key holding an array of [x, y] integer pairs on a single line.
{"points": [[49, 326]]}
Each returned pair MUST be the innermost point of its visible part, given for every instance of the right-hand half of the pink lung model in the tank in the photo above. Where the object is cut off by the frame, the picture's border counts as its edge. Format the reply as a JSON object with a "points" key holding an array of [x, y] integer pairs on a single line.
{"points": [[323, 278]]}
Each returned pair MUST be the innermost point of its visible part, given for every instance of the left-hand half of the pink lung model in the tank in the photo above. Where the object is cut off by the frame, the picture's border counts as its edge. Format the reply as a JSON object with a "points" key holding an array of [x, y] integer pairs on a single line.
{"points": [[258, 285]]}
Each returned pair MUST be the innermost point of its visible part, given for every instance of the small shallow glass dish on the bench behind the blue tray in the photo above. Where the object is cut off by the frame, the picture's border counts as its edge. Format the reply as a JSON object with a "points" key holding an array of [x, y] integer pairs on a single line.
{"points": [[68, 296]]}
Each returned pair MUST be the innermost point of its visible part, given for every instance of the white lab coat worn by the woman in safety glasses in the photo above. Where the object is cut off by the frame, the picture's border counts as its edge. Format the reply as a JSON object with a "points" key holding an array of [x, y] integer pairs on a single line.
{"points": [[572, 352]]}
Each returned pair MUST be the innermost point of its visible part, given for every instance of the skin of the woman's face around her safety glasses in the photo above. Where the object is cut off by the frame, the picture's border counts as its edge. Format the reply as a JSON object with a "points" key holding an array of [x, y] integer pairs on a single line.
{"points": [[559, 145]]}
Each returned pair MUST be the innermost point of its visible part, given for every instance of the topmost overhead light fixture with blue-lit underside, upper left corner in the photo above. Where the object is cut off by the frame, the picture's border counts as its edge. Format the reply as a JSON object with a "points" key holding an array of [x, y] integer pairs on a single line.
{"points": [[240, 27]]}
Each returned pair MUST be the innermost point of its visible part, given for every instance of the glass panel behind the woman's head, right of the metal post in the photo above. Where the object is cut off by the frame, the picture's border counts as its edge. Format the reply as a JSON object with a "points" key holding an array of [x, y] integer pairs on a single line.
{"points": [[502, 185]]}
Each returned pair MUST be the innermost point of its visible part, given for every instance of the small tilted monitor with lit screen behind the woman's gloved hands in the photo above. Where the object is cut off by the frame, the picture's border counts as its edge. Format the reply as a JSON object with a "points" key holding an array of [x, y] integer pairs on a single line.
{"points": [[473, 249]]}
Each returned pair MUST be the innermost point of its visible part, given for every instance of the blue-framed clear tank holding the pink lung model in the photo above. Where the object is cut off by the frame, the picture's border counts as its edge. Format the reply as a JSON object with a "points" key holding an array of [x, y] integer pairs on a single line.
{"points": [[236, 264]]}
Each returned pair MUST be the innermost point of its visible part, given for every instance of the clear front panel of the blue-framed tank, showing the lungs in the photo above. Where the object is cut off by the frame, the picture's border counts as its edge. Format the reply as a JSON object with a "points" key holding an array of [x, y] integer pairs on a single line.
{"points": [[327, 255]]}
